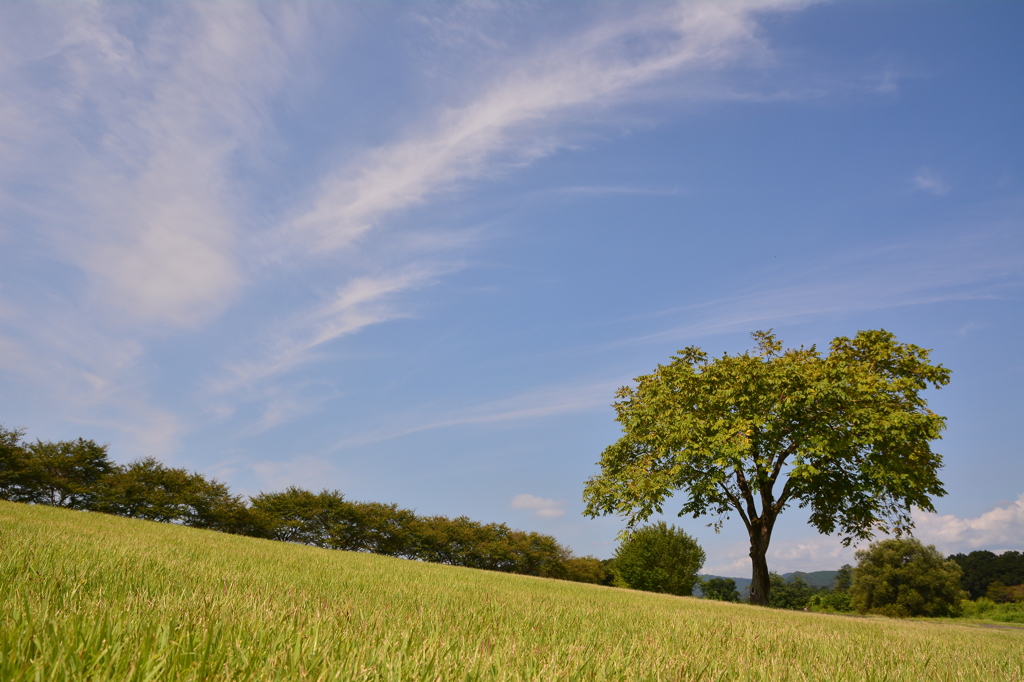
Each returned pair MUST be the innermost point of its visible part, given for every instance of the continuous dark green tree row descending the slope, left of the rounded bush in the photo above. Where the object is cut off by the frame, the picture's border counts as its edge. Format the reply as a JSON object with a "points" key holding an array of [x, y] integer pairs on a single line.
{"points": [[78, 475]]}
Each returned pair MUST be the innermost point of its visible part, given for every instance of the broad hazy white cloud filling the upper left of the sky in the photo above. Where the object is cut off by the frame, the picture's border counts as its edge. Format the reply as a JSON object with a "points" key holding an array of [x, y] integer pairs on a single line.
{"points": [[119, 131]]}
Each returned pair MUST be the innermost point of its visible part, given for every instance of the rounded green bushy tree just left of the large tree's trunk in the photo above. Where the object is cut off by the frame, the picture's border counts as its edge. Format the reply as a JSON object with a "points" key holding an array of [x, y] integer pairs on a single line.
{"points": [[659, 559]]}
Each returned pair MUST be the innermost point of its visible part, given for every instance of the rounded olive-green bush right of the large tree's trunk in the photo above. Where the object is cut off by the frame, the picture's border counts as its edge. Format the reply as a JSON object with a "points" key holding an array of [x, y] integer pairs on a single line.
{"points": [[903, 578]]}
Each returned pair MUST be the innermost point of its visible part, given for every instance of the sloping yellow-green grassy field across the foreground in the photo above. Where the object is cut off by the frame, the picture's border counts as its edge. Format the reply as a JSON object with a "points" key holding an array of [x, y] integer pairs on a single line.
{"points": [[93, 598]]}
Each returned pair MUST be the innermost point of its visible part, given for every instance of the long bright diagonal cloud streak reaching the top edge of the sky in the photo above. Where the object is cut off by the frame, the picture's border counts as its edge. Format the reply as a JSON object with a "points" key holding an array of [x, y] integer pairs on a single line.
{"points": [[510, 122]]}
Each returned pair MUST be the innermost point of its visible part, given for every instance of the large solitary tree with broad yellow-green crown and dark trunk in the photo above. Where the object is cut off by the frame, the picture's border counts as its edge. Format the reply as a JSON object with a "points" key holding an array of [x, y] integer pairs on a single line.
{"points": [[845, 435]]}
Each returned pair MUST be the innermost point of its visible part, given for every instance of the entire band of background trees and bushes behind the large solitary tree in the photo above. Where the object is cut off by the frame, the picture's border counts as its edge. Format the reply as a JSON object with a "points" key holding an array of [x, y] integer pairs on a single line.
{"points": [[893, 577]]}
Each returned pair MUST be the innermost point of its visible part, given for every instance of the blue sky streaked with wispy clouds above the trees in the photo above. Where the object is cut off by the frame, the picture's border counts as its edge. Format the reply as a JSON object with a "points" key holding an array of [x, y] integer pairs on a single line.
{"points": [[410, 250]]}
